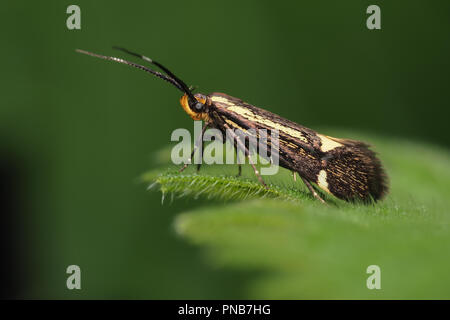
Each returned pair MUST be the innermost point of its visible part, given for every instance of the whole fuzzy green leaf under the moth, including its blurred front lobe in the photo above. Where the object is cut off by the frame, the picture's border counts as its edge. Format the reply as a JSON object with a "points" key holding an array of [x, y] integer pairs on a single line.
{"points": [[298, 248]]}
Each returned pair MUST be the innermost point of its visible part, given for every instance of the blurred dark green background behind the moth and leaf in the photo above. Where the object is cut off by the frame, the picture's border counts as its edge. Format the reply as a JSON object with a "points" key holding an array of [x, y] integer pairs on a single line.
{"points": [[77, 132]]}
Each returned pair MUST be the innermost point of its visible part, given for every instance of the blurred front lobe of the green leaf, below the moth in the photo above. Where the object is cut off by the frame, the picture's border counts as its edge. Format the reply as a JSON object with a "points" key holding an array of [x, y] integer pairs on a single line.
{"points": [[308, 251]]}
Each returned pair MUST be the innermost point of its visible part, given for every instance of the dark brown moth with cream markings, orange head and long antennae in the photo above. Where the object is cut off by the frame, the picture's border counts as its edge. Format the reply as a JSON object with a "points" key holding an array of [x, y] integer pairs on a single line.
{"points": [[347, 169]]}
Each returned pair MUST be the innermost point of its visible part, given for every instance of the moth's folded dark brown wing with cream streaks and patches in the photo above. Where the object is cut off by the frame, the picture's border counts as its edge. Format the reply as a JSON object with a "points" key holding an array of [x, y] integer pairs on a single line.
{"points": [[348, 169]]}
